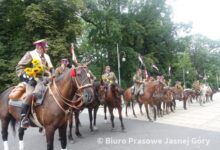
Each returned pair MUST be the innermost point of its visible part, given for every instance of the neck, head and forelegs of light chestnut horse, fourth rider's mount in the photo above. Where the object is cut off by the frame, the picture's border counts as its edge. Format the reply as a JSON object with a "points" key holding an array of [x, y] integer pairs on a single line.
{"points": [[147, 97]]}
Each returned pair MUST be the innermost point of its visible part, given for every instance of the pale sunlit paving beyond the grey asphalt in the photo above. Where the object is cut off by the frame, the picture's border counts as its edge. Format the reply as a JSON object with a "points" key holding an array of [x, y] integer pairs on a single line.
{"points": [[205, 117]]}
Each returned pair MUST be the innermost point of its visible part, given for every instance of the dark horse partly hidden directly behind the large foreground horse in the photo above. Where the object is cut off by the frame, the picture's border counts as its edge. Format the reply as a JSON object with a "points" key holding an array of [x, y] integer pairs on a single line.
{"points": [[99, 89]]}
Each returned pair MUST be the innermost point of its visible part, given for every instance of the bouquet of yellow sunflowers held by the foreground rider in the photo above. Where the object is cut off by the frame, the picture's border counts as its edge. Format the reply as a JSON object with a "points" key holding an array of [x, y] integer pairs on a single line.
{"points": [[36, 71]]}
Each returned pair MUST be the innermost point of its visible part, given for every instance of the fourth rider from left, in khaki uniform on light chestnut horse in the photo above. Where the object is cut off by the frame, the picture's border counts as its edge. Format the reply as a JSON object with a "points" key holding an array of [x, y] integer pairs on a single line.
{"points": [[138, 83]]}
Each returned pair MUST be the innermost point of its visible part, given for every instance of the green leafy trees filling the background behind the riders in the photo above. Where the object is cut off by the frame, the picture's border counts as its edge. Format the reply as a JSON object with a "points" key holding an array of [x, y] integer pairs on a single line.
{"points": [[96, 27]]}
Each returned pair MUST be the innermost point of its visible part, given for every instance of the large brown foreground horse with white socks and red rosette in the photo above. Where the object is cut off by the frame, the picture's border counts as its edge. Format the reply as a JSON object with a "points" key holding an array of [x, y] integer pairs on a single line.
{"points": [[64, 93]]}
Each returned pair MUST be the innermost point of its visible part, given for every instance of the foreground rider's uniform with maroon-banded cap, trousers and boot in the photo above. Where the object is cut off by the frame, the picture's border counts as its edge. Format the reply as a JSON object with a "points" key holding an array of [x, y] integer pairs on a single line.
{"points": [[34, 86]]}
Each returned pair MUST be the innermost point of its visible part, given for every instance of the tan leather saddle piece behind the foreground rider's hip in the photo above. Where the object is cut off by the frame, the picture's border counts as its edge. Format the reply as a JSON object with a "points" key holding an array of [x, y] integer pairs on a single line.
{"points": [[18, 93]]}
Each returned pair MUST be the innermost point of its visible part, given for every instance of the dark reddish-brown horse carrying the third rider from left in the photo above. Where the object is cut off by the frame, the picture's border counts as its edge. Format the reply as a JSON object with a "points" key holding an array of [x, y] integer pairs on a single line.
{"points": [[113, 100]]}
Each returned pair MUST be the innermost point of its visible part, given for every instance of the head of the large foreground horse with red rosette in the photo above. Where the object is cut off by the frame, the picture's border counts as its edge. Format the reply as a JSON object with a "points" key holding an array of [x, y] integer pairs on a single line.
{"points": [[84, 86]]}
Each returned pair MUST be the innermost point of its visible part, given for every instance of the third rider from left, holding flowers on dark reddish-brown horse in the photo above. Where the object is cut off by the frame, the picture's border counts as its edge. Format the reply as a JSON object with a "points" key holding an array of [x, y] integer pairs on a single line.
{"points": [[109, 76]]}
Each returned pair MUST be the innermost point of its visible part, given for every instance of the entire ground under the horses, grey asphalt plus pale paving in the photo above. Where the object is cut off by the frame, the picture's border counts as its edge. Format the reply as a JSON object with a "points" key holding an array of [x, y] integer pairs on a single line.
{"points": [[182, 130]]}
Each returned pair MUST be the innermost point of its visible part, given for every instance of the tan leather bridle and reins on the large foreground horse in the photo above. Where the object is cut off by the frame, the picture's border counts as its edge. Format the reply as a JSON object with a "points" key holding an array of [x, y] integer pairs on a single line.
{"points": [[75, 104]]}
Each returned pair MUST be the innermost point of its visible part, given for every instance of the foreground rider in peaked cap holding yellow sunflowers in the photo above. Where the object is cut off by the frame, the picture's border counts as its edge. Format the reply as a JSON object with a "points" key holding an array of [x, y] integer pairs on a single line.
{"points": [[35, 81]]}
